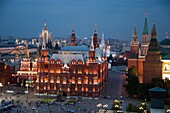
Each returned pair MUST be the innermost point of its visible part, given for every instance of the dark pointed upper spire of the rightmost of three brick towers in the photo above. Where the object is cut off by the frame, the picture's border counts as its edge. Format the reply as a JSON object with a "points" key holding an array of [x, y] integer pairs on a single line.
{"points": [[153, 46]]}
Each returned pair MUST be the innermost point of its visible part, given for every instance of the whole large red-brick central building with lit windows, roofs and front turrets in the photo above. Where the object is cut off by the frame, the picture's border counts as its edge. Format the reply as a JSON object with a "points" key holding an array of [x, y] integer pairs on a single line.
{"points": [[75, 71]]}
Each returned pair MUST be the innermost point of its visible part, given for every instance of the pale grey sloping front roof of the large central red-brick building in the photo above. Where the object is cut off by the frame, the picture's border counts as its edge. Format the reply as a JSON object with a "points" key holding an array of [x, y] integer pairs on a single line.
{"points": [[67, 58]]}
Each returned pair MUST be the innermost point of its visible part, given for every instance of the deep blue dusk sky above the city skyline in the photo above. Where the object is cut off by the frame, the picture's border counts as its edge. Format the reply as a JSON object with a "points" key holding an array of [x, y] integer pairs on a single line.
{"points": [[115, 18]]}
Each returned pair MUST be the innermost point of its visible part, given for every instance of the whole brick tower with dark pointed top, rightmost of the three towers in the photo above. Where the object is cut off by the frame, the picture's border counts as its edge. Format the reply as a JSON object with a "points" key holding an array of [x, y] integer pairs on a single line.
{"points": [[152, 64]]}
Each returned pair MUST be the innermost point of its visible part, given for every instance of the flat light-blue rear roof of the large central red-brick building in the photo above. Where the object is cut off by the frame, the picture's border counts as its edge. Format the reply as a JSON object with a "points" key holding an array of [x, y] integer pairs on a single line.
{"points": [[75, 48]]}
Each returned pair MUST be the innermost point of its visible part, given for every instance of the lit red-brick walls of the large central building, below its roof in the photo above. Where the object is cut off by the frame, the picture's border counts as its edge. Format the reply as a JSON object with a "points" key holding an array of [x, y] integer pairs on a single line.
{"points": [[78, 80]]}
